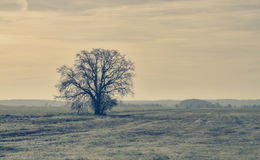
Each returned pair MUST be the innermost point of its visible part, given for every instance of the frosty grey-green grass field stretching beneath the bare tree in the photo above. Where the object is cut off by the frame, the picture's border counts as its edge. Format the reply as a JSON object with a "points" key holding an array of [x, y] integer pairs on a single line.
{"points": [[53, 133]]}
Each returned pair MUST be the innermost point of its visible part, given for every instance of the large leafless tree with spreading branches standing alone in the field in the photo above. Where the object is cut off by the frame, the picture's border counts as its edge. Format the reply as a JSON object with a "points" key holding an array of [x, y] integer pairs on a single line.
{"points": [[97, 77]]}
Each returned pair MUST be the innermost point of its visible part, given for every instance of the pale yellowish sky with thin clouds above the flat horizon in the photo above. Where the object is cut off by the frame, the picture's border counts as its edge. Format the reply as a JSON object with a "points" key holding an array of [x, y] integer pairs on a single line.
{"points": [[182, 48]]}
